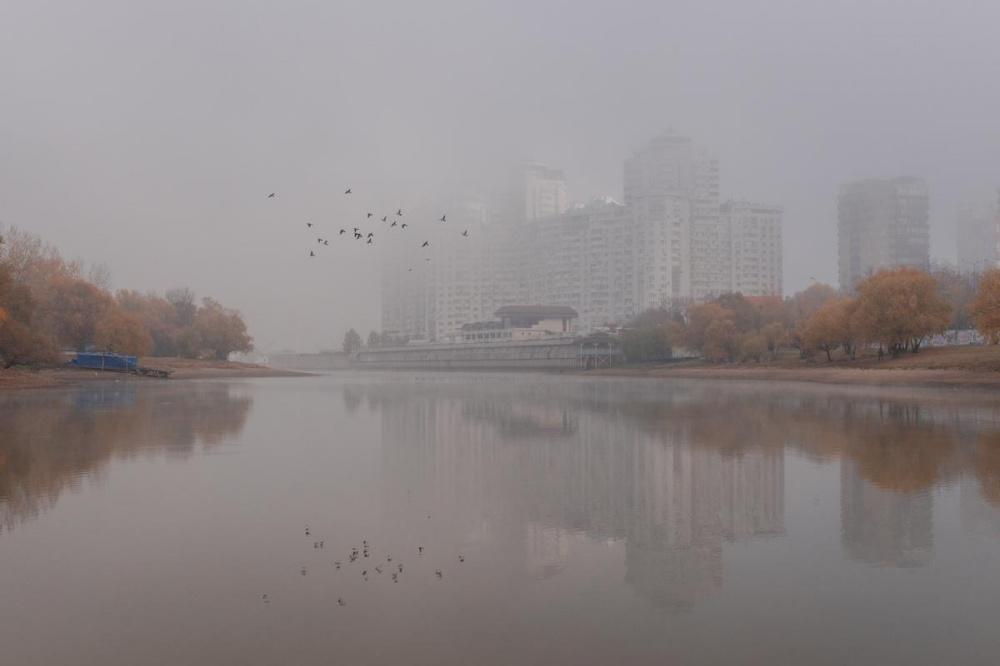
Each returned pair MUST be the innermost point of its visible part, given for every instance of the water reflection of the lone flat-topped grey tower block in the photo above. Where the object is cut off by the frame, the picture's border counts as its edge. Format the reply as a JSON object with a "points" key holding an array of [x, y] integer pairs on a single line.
{"points": [[881, 526]]}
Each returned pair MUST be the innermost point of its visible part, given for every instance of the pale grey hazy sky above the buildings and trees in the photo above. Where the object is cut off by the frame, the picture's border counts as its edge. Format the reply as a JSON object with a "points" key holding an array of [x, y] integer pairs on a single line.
{"points": [[147, 134]]}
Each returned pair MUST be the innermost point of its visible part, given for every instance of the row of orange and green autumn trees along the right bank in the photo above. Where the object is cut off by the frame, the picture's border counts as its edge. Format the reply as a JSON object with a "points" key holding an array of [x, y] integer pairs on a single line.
{"points": [[891, 312]]}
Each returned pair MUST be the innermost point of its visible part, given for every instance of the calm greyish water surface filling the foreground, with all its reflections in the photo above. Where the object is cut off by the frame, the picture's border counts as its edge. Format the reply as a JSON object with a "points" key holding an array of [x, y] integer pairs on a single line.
{"points": [[601, 522]]}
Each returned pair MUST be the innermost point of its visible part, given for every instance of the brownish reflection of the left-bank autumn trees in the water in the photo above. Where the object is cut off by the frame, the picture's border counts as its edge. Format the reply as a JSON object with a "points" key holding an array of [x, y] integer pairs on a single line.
{"points": [[53, 440]]}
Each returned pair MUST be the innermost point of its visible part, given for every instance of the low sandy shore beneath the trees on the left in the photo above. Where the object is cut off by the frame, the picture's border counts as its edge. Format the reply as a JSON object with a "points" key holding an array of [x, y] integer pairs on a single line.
{"points": [[181, 369]]}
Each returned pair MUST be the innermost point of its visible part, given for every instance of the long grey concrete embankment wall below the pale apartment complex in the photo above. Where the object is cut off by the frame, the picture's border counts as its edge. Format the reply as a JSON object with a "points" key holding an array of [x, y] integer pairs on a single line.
{"points": [[547, 355]]}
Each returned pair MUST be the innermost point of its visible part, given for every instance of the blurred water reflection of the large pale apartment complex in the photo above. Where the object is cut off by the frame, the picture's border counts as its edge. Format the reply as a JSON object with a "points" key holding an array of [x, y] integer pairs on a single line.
{"points": [[541, 464]]}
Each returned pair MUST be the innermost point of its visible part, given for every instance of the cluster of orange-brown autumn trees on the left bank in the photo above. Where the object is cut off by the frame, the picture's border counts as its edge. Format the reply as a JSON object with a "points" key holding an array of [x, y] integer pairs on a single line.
{"points": [[48, 304]]}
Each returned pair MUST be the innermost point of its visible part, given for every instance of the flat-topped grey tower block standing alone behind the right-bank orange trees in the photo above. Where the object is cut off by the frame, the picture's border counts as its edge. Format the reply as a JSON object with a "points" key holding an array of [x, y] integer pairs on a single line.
{"points": [[882, 224]]}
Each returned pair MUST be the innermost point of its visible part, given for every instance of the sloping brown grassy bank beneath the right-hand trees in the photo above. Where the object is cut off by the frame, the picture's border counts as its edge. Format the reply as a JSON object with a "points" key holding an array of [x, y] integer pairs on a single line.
{"points": [[971, 367]]}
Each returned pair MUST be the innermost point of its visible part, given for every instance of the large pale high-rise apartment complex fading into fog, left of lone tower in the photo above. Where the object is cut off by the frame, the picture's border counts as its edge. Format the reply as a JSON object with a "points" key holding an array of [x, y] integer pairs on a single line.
{"points": [[670, 243]]}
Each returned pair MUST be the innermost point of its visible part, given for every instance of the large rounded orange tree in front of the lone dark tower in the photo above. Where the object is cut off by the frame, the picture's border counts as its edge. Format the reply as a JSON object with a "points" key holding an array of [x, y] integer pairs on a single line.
{"points": [[898, 308]]}
